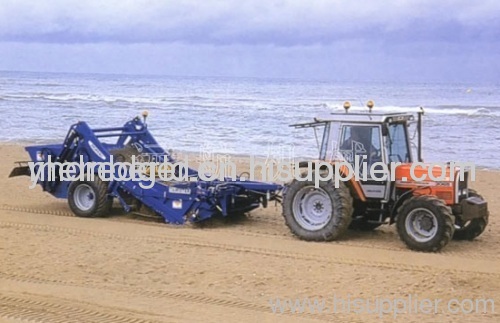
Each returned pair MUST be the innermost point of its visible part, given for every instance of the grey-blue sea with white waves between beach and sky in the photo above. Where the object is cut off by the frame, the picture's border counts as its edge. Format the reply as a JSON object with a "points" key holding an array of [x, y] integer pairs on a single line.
{"points": [[213, 115]]}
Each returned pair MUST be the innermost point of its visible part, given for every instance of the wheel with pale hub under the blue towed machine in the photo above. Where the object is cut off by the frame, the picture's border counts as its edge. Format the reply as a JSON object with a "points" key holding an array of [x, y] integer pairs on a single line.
{"points": [[89, 198]]}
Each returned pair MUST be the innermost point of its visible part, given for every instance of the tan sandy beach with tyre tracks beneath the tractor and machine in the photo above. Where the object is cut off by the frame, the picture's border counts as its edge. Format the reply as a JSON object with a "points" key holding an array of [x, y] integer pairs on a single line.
{"points": [[55, 267]]}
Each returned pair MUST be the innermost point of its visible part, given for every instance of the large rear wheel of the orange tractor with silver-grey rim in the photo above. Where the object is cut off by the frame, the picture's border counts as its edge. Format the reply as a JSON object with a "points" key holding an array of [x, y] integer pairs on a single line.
{"points": [[317, 214]]}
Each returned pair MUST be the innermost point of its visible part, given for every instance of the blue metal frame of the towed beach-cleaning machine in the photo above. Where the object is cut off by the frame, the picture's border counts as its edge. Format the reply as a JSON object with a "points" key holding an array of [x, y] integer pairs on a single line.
{"points": [[194, 200]]}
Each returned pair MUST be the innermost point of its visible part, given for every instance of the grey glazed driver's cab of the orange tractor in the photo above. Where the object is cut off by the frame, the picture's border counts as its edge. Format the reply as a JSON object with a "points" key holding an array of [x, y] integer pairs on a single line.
{"points": [[367, 140]]}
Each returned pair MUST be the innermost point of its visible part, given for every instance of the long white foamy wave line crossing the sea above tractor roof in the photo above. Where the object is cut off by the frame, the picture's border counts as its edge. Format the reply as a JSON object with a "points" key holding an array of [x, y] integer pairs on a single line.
{"points": [[247, 104]]}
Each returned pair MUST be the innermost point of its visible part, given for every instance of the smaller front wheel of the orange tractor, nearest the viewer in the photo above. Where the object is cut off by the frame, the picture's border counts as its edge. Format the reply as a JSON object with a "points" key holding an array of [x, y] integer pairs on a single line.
{"points": [[425, 223]]}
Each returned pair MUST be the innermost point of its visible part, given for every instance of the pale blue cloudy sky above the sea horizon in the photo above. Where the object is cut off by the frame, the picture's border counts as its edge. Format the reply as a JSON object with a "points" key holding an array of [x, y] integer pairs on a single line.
{"points": [[344, 40]]}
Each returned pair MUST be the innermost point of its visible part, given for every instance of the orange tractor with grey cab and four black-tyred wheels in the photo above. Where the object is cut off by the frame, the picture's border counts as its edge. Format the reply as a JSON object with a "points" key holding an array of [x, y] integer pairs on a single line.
{"points": [[383, 180]]}
